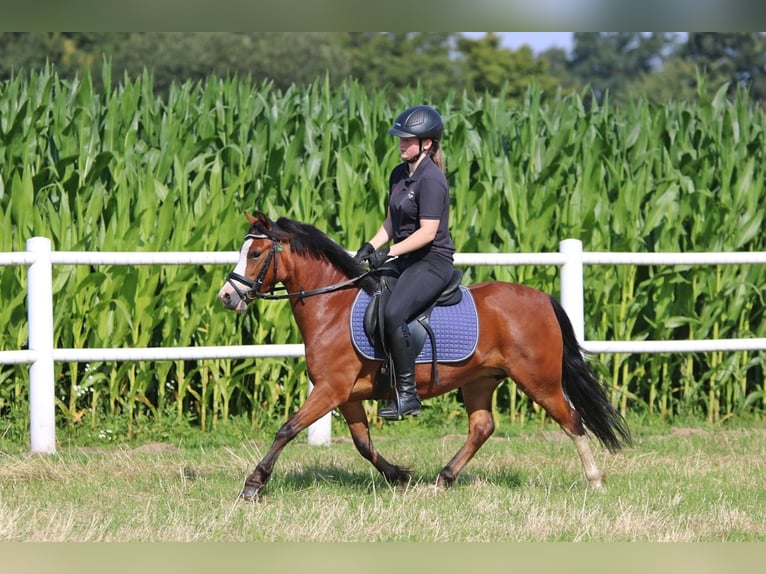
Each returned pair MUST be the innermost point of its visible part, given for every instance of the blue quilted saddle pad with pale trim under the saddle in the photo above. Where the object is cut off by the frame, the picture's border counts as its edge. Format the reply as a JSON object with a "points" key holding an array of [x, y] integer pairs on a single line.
{"points": [[456, 329]]}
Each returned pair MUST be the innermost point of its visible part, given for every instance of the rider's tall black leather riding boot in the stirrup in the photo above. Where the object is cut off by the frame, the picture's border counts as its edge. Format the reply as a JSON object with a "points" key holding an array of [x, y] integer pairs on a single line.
{"points": [[404, 346]]}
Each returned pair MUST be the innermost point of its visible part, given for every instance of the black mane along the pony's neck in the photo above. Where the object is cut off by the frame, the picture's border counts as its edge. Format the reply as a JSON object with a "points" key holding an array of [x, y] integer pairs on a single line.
{"points": [[306, 239]]}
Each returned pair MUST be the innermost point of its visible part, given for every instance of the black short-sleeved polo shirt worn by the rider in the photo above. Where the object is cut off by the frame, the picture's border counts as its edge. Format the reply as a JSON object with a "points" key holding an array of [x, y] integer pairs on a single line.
{"points": [[422, 195]]}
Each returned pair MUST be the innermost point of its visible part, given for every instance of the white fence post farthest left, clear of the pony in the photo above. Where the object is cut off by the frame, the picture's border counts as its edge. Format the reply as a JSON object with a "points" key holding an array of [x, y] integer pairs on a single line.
{"points": [[42, 411]]}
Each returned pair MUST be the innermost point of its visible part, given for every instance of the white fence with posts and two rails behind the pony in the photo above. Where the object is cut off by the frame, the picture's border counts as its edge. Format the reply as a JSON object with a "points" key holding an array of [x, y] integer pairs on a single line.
{"points": [[41, 354]]}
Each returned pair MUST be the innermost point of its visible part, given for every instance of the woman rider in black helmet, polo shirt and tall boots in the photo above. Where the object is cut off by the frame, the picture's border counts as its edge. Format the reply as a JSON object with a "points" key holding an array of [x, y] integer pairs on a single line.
{"points": [[417, 222]]}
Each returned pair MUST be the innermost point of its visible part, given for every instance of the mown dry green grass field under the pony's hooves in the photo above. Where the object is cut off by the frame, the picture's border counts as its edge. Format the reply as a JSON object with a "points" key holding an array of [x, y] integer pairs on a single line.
{"points": [[674, 484]]}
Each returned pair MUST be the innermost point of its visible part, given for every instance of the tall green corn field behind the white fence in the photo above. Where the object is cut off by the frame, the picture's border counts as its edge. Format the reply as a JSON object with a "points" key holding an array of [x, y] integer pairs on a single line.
{"points": [[124, 170]]}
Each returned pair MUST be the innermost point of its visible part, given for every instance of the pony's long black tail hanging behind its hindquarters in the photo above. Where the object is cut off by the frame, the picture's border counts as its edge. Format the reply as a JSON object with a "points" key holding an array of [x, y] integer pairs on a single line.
{"points": [[586, 392]]}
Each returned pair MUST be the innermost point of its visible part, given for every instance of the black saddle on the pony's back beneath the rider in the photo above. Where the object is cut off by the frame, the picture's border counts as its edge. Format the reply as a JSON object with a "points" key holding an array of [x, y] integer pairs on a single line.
{"points": [[419, 328]]}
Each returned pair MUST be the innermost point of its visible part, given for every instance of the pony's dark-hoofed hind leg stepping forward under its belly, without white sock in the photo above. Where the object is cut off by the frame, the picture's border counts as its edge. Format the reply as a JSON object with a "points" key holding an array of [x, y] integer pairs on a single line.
{"points": [[477, 398]]}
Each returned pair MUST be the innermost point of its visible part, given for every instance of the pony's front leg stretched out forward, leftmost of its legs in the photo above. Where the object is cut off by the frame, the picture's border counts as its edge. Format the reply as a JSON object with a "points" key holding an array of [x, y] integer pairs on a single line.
{"points": [[318, 404]]}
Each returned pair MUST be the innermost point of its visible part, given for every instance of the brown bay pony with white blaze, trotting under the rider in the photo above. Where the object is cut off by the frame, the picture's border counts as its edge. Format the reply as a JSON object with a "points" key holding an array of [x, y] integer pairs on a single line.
{"points": [[524, 334]]}
